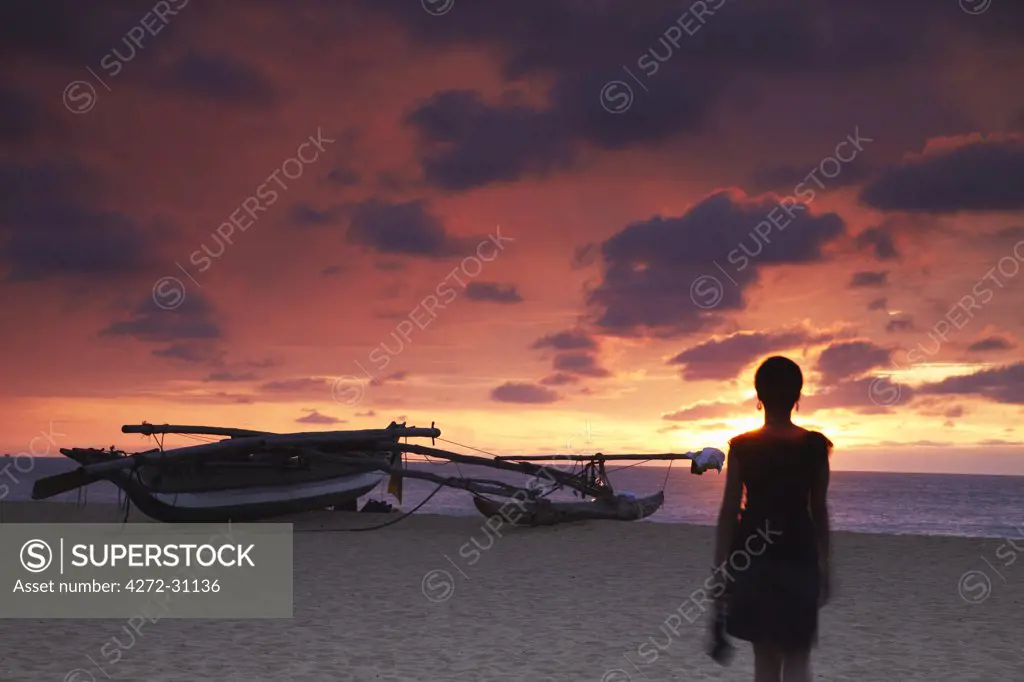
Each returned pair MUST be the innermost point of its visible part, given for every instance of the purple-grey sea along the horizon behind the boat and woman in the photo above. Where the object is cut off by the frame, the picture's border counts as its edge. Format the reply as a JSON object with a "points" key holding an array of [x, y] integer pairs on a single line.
{"points": [[864, 502]]}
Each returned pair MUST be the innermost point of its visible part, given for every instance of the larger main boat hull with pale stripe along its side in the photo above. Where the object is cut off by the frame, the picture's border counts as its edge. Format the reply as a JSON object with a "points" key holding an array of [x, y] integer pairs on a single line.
{"points": [[236, 491]]}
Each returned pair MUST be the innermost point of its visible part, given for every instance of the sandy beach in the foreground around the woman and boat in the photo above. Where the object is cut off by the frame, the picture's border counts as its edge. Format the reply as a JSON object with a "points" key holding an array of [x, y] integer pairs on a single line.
{"points": [[441, 599]]}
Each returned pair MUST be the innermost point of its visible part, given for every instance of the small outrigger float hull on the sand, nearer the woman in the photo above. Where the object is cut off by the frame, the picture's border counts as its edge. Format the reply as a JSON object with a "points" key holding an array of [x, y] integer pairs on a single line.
{"points": [[547, 513]]}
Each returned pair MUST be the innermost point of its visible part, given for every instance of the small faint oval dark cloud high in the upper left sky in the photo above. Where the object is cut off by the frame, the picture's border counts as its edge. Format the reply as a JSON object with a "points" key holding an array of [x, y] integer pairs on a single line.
{"points": [[220, 78]]}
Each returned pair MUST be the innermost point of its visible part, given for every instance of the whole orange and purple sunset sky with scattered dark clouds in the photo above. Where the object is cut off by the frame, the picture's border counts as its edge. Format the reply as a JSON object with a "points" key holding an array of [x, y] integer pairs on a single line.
{"points": [[527, 222]]}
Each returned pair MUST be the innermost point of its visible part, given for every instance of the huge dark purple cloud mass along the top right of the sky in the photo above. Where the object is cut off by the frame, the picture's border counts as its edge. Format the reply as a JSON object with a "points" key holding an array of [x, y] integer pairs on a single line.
{"points": [[684, 77]]}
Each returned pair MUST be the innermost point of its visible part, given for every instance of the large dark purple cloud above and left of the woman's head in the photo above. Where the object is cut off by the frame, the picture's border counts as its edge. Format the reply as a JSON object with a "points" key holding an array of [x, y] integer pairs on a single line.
{"points": [[653, 267]]}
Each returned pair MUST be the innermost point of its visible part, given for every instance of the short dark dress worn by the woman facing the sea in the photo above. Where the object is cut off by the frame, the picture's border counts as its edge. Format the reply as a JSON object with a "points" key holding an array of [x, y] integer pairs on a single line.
{"points": [[774, 598]]}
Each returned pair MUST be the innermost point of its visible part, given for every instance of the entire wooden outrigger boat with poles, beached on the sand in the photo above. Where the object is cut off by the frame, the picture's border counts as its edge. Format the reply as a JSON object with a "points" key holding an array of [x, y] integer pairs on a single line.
{"points": [[252, 476]]}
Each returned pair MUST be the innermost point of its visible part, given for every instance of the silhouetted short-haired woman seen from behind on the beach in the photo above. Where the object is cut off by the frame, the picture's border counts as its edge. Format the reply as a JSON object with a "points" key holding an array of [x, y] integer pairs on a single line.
{"points": [[776, 550]]}
